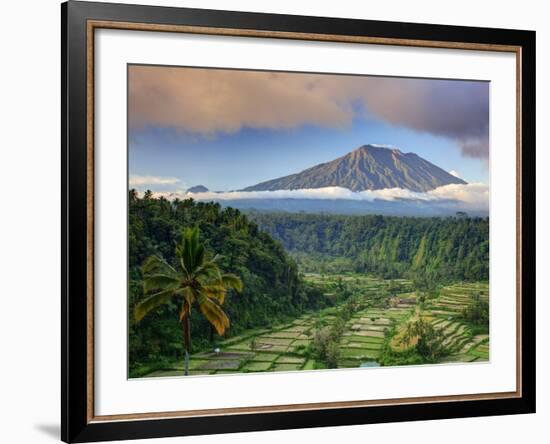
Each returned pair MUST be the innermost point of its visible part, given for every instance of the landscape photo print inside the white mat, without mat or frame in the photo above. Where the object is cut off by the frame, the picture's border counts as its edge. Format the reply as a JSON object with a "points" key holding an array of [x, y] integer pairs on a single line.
{"points": [[282, 222]]}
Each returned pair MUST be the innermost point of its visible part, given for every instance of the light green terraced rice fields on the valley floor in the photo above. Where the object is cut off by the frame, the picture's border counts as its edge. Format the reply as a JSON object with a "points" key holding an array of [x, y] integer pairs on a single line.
{"points": [[384, 307]]}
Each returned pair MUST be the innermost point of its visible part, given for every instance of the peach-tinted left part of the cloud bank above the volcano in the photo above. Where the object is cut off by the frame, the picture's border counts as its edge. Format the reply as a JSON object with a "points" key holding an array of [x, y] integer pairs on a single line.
{"points": [[207, 101]]}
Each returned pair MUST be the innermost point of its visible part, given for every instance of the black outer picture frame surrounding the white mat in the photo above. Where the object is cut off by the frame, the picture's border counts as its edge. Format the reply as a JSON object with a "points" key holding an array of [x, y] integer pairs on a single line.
{"points": [[76, 423]]}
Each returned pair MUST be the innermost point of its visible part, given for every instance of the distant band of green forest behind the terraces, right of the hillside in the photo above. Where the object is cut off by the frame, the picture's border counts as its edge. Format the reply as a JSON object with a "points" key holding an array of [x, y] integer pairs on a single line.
{"points": [[436, 249]]}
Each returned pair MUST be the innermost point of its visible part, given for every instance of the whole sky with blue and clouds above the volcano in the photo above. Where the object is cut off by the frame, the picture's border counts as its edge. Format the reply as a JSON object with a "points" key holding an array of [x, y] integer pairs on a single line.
{"points": [[229, 129]]}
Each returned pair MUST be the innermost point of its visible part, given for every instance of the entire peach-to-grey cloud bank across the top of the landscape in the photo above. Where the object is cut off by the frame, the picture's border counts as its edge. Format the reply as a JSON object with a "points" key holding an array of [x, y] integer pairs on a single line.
{"points": [[210, 101]]}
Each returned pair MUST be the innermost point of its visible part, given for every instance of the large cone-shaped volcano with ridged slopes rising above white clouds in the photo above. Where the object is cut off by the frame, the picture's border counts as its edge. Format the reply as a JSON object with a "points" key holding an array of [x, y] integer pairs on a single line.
{"points": [[369, 167]]}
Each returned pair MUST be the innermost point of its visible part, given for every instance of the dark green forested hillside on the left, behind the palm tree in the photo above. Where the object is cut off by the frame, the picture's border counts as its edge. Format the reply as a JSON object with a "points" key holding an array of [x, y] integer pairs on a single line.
{"points": [[272, 287]]}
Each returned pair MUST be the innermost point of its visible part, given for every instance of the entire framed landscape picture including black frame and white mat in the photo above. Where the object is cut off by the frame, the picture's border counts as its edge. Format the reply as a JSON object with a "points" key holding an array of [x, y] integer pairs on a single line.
{"points": [[275, 221]]}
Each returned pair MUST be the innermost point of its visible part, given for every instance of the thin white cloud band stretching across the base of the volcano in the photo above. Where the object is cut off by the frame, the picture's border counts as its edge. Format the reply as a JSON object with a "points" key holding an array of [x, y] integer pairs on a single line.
{"points": [[474, 196]]}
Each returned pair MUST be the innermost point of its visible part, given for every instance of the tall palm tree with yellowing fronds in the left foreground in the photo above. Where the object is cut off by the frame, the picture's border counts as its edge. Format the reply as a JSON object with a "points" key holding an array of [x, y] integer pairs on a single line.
{"points": [[196, 282]]}
